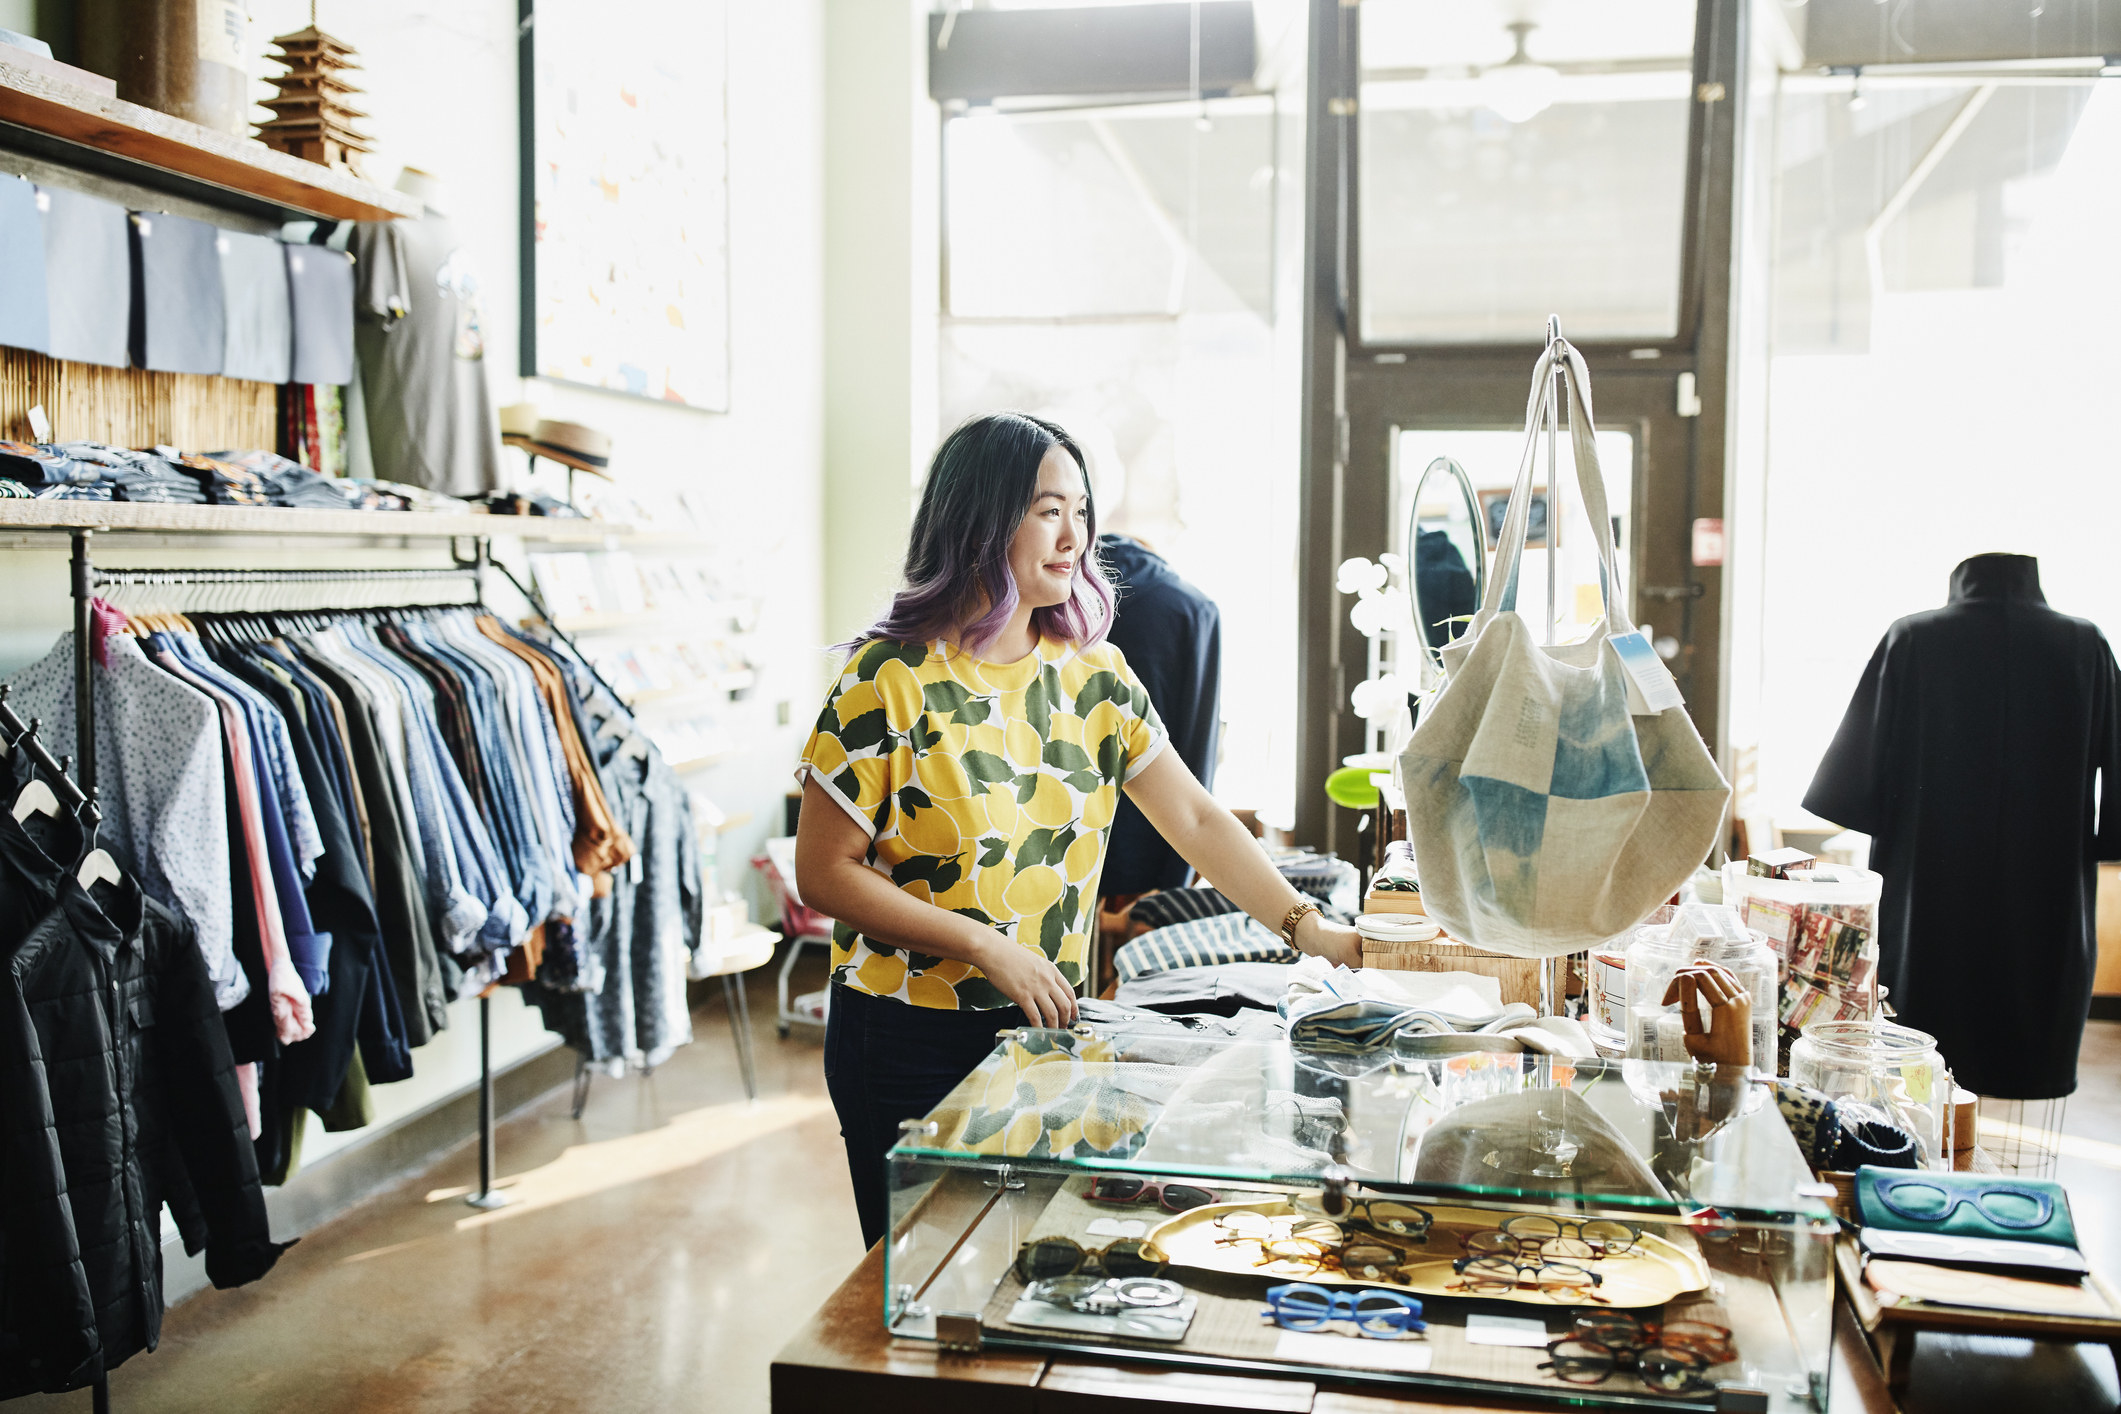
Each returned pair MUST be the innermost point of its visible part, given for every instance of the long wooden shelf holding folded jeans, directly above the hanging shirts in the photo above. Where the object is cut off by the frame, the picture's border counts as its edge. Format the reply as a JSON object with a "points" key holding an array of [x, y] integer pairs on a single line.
{"points": [[154, 518]]}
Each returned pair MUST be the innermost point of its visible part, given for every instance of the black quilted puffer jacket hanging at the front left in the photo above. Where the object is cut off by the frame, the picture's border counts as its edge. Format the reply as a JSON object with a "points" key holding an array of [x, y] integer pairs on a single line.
{"points": [[118, 1095]]}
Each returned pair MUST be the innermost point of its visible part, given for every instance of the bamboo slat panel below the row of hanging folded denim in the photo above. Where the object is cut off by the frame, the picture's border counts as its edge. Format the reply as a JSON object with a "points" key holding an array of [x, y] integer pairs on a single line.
{"points": [[133, 408]]}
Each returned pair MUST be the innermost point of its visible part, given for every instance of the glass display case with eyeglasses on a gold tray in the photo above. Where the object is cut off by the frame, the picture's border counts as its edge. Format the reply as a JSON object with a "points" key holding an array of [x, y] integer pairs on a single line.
{"points": [[1622, 1233]]}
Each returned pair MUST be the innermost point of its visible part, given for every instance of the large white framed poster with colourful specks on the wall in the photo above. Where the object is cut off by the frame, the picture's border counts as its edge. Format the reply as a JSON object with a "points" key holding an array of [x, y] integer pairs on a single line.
{"points": [[627, 198]]}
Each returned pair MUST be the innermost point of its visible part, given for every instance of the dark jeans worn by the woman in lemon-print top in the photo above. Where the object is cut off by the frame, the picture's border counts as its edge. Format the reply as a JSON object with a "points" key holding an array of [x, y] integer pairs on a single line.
{"points": [[888, 1061]]}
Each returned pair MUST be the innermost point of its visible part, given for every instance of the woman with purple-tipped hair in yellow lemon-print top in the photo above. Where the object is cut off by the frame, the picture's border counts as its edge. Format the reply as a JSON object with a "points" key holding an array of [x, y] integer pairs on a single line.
{"points": [[960, 785]]}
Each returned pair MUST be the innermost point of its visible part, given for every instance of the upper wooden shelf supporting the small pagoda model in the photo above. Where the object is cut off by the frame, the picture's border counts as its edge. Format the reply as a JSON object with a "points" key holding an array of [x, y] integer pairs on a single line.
{"points": [[154, 149]]}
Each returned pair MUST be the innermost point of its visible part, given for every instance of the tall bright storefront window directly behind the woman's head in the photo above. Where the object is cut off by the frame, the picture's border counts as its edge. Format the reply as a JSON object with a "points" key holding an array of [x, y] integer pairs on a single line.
{"points": [[1121, 270]]}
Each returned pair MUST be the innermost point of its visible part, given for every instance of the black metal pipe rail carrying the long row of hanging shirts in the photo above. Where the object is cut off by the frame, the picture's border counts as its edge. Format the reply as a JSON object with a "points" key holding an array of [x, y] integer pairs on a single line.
{"points": [[88, 580]]}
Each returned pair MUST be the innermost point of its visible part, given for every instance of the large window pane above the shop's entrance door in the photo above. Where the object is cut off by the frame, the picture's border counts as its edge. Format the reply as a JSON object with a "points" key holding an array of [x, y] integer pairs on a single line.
{"points": [[1513, 171]]}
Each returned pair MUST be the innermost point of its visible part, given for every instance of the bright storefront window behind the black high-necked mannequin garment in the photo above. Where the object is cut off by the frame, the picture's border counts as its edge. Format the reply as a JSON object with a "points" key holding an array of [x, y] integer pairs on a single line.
{"points": [[1944, 311]]}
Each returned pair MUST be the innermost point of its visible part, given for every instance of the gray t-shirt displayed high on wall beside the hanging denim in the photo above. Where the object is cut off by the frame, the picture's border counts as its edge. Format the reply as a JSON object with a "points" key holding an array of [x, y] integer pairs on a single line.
{"points": [[423, 357]]}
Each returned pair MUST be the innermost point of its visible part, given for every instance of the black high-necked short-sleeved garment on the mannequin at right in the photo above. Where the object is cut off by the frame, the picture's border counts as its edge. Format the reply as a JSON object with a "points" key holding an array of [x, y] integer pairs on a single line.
{"points": [[1969, 758]]}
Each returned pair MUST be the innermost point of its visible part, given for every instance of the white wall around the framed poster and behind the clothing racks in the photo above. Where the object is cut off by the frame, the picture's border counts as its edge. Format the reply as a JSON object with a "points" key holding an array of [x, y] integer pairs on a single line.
{"points": [[440, 88]]}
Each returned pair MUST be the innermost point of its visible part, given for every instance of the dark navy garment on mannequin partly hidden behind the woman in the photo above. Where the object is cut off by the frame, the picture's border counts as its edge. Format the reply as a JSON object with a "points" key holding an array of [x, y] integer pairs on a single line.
{"points": [[1172, 637]]}
